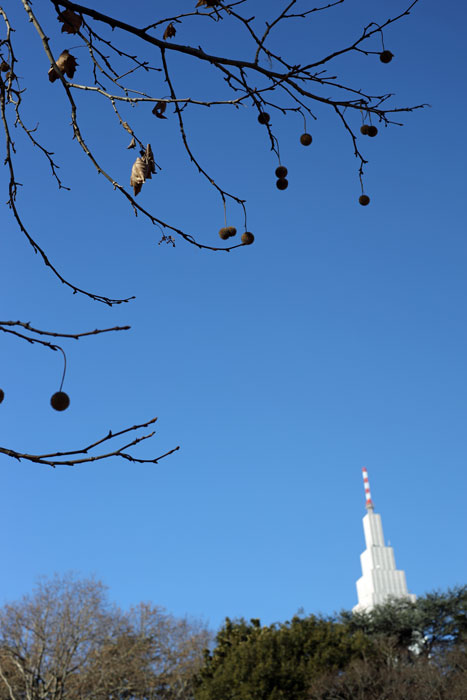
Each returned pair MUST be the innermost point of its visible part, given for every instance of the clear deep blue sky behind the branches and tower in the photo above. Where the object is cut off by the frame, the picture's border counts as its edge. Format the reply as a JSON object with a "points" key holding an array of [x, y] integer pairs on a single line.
{"points": [[339, 339]]}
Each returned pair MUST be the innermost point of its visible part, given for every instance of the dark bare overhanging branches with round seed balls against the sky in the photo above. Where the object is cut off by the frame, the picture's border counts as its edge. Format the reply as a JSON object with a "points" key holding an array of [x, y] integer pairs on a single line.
{"points": [[259, 79]]}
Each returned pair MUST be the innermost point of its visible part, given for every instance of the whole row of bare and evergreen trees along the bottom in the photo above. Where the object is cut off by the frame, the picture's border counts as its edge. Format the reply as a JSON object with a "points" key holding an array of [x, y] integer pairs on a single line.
{"points": [[66, 641]]}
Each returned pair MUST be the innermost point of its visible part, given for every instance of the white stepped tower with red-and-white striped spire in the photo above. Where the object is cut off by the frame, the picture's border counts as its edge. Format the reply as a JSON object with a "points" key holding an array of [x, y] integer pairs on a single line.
{"points": [[380, 579]]}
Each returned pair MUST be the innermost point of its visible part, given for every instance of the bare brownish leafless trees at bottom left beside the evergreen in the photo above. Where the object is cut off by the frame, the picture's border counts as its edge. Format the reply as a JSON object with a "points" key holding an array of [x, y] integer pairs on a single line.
{"points": [[66, 642]]}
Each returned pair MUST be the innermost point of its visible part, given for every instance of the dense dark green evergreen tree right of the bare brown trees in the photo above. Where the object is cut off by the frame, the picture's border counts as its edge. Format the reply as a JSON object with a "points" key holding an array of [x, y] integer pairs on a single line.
{"points": [[275, 662]]}
